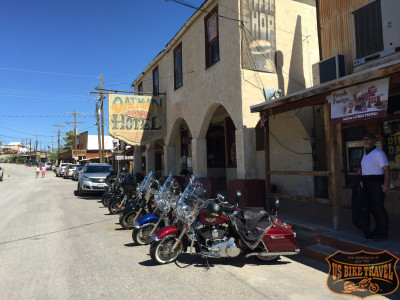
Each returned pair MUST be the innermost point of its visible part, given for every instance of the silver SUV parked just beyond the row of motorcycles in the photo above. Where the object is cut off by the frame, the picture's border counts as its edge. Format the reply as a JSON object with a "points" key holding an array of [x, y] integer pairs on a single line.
{"points": [[92, 178]]}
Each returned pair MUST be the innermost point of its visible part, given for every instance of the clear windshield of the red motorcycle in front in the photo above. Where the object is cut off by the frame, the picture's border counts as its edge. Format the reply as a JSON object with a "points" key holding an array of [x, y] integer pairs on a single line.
{"points": [[193, 198]]}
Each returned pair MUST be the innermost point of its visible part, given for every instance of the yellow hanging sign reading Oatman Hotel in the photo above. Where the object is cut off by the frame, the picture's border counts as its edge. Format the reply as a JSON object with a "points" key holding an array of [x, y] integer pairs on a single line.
{"points": [[136, 120]]}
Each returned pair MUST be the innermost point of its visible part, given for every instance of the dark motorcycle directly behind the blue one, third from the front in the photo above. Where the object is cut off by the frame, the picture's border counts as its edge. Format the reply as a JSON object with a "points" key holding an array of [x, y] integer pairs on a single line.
{"points": [[134, 208]]}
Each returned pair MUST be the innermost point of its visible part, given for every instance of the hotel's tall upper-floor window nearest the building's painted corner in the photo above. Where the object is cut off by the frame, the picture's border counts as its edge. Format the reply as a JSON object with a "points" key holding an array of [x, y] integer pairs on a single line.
{"points": [[211, 37]]}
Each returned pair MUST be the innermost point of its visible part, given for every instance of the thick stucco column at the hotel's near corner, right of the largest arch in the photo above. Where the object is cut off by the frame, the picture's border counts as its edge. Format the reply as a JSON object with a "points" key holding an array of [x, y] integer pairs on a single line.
{"points": [[246, 153]]}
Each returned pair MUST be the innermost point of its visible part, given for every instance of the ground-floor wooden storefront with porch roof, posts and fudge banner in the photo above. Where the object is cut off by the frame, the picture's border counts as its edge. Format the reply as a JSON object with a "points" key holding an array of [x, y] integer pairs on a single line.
{"points": [[352, 106]]}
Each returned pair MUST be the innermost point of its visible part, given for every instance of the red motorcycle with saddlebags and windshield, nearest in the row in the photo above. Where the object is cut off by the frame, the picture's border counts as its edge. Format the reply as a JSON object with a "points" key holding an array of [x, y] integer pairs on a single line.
{"points": [[216, 229]]}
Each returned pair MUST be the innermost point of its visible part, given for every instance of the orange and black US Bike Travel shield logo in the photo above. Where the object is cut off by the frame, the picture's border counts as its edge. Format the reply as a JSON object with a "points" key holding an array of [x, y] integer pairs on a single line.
{"points": [[362, 274]]}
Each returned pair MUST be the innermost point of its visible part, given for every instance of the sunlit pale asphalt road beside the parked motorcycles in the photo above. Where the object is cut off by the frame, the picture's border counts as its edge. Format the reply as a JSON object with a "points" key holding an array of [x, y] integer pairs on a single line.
{"points": [[55, 245]]}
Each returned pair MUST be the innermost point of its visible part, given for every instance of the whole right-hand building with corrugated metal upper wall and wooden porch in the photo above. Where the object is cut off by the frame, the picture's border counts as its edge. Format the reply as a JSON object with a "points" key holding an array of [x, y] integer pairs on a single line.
{"points": [[356, 91]]}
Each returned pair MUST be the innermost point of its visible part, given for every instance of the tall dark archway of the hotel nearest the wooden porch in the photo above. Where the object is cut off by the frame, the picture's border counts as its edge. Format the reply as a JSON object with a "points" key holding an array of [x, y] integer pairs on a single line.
{"points": [[221, 148]]}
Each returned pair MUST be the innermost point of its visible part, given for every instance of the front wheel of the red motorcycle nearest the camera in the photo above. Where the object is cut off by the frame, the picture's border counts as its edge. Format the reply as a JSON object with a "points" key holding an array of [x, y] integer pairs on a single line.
{"points": [[161, 251]]}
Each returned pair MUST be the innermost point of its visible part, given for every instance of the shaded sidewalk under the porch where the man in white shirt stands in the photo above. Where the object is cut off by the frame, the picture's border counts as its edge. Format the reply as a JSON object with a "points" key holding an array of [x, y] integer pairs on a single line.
{"points": [[315, 218]]}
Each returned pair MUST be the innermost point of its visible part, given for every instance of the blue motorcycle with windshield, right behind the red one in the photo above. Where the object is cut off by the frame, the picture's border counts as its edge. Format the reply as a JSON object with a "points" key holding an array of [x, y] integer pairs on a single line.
{"points": [[162, 215]]}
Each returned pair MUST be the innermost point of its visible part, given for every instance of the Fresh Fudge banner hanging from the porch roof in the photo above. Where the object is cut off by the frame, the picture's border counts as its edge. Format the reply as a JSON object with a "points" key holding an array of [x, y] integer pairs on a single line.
{"points": [[361, 102]]}
